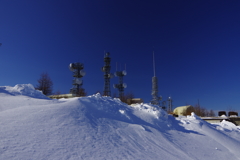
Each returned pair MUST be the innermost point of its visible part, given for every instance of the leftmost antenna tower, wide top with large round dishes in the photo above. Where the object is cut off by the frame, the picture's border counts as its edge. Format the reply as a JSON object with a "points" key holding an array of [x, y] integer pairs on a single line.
{"points": [[78, 73]]}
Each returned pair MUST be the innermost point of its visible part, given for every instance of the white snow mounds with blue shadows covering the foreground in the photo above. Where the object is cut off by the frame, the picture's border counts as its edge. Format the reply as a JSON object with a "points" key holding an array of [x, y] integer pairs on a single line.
{"points": [[33, 126]]}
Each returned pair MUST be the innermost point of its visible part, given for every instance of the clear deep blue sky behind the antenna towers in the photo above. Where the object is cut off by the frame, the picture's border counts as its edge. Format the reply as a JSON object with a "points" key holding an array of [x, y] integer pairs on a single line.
{"points": [[196, 46]]}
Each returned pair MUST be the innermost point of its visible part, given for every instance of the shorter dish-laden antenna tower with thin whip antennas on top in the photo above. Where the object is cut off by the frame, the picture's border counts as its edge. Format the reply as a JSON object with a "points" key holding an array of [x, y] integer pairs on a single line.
{"points": [[120, 86]]}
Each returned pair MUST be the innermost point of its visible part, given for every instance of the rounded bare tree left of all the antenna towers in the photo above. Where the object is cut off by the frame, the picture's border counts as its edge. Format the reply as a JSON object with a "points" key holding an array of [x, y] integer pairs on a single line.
{"points": [[45, 84]]}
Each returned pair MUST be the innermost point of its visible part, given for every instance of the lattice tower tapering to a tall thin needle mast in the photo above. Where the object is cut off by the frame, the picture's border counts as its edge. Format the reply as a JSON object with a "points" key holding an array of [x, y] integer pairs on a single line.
{"points": [[155, 97]]}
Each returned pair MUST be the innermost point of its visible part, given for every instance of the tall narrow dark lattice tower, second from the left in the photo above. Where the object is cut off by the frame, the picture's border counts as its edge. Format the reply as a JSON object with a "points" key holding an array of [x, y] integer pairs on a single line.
{"points": [[107, 75]]}
